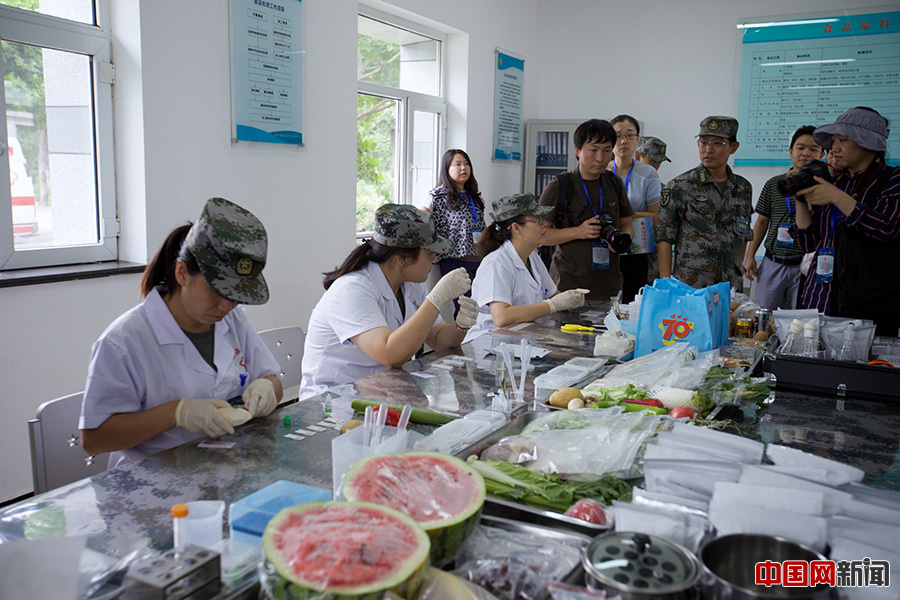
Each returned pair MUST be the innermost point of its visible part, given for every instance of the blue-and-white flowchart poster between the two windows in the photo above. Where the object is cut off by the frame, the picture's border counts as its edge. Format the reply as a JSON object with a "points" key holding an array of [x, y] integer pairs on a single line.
{"points": [[266, 71]]}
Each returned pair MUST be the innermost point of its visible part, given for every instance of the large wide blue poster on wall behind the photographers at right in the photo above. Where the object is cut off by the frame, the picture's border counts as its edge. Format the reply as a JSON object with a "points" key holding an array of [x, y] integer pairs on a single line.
{"points": [[808, 72]]}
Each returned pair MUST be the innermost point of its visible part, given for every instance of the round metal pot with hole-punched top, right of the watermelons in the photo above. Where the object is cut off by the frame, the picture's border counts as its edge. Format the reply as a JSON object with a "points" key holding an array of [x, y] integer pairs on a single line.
{"points": [[638, 566]]}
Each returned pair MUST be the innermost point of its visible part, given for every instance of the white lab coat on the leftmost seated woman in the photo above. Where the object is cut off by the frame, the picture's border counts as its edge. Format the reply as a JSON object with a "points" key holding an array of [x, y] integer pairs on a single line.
{"points": [[144, 359]]}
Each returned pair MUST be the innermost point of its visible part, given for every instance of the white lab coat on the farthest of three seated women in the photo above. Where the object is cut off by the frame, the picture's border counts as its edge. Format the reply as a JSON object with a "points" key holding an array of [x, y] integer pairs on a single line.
{"points": [[503, 277]]}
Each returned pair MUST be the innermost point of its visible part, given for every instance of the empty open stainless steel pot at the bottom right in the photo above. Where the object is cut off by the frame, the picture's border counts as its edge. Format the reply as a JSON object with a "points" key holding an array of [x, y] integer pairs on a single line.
{"points": [[729, 565]]}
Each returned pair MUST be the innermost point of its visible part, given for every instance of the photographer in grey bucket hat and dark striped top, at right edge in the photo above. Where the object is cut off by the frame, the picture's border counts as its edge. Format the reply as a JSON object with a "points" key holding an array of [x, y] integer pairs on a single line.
{"points": [[853, 225]]}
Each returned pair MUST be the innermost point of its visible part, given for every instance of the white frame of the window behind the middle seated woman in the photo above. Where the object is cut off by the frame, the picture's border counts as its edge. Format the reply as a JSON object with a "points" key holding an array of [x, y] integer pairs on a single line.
{"points": [[408, 103]]}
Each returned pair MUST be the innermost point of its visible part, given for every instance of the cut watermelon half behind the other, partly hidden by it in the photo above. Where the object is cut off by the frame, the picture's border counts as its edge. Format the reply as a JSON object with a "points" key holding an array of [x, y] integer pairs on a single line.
{"points": [[442, 493]]}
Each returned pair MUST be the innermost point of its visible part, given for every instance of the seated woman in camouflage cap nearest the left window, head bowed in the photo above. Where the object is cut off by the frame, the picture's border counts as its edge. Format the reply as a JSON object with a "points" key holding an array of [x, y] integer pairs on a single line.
{"points": [[165, 371]]}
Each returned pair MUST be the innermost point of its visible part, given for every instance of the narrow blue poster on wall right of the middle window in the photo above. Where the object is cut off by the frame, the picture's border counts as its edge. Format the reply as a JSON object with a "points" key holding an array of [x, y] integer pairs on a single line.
{"points": [[508, 86]]}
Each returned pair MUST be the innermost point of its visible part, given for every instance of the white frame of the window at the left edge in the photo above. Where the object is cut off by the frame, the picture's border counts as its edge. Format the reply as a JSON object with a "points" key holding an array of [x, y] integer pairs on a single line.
{"points": [[94, 41]]}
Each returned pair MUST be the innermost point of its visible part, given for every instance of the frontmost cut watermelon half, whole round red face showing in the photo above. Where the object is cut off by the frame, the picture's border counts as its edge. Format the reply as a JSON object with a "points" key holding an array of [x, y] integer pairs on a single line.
{"points": [[343, 551]]}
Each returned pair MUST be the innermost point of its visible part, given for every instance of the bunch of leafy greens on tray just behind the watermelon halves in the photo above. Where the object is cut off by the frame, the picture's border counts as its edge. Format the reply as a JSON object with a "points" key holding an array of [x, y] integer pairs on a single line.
{"points": [[546, 490]]}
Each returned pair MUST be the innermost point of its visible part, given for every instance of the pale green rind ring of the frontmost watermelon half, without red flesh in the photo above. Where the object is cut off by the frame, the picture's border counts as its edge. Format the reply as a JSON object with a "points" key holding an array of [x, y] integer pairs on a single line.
{"points": [[282, 584]]}
